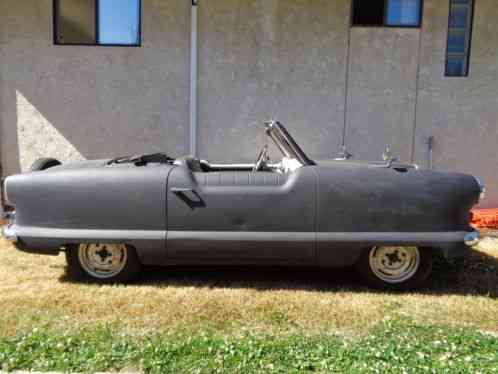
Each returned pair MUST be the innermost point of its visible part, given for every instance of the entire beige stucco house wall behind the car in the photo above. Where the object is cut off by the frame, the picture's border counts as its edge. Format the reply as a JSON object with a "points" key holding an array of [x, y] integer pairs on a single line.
{"points": [[258, 59]]}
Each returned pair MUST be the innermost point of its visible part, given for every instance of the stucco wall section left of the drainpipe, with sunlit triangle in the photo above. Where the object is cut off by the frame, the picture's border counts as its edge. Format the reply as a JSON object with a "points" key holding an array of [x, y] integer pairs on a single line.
{"points": [[89, 102]]}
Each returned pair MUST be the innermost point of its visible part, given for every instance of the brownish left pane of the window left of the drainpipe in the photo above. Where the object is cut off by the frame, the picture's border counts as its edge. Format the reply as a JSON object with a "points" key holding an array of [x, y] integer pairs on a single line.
{"points": [[76, 22]]}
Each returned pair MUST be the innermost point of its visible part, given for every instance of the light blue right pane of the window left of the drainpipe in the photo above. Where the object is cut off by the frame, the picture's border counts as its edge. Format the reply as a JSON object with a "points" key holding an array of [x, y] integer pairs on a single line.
{"points": [[119, 22]]}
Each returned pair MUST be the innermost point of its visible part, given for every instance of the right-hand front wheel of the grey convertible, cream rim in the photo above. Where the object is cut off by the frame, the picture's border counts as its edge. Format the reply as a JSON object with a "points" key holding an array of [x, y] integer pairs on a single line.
{"points": [[395, 267]]}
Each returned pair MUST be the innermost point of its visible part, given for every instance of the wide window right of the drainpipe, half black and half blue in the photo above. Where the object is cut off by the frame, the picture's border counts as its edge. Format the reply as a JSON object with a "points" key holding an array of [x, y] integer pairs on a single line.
{"points": [[387, 13]]}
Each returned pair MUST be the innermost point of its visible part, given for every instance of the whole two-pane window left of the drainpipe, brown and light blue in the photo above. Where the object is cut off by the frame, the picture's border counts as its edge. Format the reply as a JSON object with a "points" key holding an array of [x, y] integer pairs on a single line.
{"points": [[97, 22]]}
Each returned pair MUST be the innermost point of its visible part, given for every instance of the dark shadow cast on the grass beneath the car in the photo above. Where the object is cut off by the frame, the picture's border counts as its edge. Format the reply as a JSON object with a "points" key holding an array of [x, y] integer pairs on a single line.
{"points": [[476, 275]]}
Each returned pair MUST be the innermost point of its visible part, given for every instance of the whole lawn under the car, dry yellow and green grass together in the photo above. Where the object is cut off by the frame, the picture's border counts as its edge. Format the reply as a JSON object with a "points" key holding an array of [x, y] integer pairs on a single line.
{"points": [[247, 320]]}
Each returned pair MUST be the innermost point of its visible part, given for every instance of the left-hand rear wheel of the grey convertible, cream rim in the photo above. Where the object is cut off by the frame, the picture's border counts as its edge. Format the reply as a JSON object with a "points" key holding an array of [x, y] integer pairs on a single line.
{"points": [[103, 263]]}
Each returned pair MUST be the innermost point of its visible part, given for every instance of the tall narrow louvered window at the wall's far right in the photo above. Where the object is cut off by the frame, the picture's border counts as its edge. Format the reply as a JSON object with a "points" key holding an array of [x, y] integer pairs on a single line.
{"points": [[459, 38]]}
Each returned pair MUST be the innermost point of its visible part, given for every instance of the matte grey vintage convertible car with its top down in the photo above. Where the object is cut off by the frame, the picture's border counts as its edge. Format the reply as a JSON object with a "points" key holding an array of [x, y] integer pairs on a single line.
{"points": [[110, 217]]}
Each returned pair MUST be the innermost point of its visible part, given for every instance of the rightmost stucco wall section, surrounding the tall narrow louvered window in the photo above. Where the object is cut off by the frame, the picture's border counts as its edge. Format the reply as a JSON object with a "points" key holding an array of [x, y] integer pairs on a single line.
{"points": [[460, 113]]}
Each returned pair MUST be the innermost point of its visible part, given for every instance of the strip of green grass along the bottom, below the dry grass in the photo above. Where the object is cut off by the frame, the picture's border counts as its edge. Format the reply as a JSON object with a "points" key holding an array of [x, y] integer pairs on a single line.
{"points": [[392, 347]]}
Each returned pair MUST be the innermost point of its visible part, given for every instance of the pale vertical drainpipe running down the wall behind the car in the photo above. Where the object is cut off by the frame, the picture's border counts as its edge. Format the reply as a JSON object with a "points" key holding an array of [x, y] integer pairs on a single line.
{"points": [[193, 77]]}
